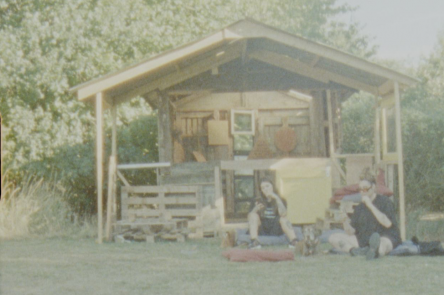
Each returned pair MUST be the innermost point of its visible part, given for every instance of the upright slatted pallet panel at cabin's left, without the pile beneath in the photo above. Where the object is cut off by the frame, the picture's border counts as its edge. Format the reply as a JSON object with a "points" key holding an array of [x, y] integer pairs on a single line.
{"points": [[164, 202]]}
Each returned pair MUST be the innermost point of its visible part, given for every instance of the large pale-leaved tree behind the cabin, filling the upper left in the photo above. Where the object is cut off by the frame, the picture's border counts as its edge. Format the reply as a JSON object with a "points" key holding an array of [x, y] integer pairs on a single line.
{"points": [[49, 46]]}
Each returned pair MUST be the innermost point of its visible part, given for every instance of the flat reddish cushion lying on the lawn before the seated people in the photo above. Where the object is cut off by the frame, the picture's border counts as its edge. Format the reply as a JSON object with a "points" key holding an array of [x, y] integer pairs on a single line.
{"points": [[245, 255]]}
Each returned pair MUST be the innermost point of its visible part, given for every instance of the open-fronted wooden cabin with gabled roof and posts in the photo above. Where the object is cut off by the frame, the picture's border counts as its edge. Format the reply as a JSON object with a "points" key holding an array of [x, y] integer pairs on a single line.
{"points": [[249, 101]]}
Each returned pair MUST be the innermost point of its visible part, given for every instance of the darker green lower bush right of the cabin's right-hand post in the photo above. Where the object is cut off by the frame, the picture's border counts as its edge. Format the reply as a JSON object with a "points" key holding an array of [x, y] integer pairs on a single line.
{"points": [[423, 139]]}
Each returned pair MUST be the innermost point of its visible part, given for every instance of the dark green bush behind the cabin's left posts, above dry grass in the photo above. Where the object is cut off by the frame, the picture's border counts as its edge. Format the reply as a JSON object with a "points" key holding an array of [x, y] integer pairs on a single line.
{"points": [[74, 165]]}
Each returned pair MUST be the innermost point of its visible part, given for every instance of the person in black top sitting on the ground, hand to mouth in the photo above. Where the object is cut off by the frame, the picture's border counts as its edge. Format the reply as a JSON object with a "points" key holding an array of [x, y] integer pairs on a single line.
{"points": [[372, 229]]}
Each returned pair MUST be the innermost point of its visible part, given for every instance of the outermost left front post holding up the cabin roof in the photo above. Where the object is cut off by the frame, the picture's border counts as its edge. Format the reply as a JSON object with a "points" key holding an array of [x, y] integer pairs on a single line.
{"points": [[99, 160]]}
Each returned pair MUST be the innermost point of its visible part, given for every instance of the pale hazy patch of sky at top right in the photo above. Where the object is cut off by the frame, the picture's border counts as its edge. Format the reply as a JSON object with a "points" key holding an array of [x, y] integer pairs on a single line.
{"points": [[402, 29]]}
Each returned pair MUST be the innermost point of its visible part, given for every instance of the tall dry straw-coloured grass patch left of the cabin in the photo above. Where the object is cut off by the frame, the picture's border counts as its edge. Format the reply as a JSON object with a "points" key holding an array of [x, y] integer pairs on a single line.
{"points": [[38, 208]]}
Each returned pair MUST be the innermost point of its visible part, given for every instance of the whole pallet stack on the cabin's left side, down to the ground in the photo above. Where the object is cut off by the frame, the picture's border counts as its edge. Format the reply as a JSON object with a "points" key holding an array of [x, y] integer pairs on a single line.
{"points": [[167, 212]]}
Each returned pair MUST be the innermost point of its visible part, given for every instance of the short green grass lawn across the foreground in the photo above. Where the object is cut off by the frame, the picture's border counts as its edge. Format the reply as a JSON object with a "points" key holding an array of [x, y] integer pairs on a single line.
{"points": [[64, 266]]}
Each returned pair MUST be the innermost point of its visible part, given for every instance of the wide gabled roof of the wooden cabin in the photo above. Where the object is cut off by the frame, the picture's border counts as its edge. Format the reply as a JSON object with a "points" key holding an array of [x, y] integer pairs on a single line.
{"points": [[245, 40]]}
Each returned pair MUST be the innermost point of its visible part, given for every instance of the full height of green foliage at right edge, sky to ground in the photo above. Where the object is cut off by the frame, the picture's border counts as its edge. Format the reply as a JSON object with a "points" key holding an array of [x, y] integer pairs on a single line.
{"points": [[423, 131]]}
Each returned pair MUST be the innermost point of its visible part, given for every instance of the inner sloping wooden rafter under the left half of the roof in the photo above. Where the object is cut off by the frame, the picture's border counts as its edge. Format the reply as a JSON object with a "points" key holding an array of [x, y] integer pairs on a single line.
{"points": [[229, 53]]}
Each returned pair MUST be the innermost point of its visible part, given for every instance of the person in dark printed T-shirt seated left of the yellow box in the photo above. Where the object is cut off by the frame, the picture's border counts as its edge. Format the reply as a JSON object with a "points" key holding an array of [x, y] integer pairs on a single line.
{"points": [[268, 217]]}
